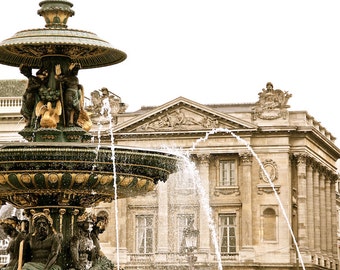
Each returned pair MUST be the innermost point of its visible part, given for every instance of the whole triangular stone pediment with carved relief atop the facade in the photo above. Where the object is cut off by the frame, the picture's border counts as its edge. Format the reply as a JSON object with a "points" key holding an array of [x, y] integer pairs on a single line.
{"points": [[182, 115]]}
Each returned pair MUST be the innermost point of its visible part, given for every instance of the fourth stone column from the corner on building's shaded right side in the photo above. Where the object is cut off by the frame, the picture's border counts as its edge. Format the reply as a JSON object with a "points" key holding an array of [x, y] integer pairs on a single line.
{"points": [[323, 229]]}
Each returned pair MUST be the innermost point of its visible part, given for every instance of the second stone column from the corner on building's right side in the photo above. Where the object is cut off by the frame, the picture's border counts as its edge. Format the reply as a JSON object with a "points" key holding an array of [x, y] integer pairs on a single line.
{"points": [[310, 205]]}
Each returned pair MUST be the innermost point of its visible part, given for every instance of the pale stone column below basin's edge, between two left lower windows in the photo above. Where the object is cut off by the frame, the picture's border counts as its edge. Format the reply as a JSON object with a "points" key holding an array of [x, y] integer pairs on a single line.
{"points": [[163, 226]]}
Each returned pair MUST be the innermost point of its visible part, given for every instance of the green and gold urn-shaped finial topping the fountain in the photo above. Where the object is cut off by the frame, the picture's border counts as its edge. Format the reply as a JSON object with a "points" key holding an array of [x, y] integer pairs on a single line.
{"points": [[56, 12]]}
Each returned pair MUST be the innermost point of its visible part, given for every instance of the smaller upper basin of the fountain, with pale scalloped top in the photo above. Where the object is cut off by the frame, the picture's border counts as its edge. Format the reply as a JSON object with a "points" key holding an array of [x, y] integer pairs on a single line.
{"points": [[103, 54]]}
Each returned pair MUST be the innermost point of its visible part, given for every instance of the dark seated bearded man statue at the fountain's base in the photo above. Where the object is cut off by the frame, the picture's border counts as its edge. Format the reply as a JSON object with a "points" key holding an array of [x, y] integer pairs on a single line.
{"points": [[42, 246]]}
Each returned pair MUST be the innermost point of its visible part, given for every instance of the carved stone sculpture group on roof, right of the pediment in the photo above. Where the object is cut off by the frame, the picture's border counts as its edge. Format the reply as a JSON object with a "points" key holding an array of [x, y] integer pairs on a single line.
{"points": [[272, 104]]}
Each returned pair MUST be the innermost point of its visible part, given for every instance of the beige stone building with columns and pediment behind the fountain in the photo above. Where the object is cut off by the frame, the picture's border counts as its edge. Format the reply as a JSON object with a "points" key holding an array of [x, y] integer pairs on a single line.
{"points": [[260, 184]]}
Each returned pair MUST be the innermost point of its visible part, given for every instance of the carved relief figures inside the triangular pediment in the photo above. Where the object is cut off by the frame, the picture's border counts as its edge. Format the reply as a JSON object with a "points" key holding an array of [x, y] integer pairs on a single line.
{"points": [[180, 119]]}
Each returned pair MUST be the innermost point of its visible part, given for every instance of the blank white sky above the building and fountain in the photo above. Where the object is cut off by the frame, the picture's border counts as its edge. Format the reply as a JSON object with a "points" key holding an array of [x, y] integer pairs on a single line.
{"points": [[210, 51]]}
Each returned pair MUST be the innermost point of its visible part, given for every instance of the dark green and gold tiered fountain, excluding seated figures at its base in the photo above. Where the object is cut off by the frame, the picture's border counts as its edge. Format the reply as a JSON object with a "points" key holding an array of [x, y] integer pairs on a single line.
{"points": [[58, 172]]}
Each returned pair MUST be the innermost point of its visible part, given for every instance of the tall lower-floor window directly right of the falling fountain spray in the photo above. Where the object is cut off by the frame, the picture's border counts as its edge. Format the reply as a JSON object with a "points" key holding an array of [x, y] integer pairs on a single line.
{"points": [[227, 233]]}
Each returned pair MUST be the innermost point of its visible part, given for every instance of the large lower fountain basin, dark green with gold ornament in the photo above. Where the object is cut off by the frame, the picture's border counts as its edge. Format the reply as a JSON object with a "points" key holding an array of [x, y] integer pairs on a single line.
{"points": [[78, 174]]}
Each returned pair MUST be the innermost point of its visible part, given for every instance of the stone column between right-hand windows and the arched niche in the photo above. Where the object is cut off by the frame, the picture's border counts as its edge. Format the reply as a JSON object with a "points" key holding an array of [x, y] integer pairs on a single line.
{"points": [[247, 252]]}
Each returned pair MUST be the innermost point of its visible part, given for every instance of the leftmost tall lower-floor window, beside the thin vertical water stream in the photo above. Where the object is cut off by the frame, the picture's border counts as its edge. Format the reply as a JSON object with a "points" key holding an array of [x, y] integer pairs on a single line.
{"points": [[144, 234]]}
